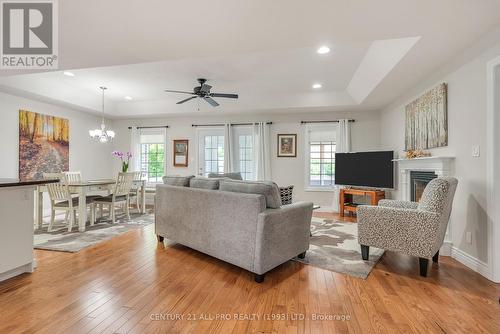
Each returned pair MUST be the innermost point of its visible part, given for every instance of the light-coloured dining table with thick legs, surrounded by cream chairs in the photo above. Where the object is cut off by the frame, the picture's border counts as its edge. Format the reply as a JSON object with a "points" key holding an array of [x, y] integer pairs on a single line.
{"points": [[82, 189]]}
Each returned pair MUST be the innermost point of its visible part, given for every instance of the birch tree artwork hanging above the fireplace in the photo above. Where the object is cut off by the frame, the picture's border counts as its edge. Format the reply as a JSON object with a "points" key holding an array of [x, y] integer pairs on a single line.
{"points": [[427, 120]]}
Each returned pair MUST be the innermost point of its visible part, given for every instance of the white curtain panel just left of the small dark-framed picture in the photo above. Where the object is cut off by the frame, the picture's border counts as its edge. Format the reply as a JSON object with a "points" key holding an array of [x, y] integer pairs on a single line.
{"points": [[262, 151]]}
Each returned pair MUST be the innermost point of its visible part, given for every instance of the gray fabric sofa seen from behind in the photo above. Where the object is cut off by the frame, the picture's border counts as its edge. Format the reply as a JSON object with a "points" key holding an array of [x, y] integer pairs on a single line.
{"points": [[235, 226]]}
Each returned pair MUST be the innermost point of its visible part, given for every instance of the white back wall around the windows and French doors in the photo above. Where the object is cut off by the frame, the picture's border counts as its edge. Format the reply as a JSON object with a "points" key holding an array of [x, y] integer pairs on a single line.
{"points": [[285, 171]]}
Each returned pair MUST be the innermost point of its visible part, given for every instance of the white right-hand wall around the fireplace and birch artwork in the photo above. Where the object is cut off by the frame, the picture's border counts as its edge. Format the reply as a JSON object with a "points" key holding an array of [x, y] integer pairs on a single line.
{"points": [[467, 102]]}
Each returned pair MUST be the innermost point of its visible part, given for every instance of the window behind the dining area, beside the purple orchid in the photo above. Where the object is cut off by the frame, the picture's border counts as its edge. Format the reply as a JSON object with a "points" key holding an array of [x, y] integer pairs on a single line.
{"points": [[152, 148]]}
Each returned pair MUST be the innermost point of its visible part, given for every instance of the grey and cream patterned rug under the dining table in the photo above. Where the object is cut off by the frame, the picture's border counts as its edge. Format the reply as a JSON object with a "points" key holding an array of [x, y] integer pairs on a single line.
{"points": [[59, 239]]}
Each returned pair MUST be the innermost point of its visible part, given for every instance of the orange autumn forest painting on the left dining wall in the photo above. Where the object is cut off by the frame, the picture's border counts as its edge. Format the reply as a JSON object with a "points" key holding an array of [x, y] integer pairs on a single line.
{"points": [[43, 145]]}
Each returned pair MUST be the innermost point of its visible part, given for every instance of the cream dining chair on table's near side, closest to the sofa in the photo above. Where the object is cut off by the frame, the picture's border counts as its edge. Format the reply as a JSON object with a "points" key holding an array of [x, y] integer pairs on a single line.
{"points": [[120, 195]]}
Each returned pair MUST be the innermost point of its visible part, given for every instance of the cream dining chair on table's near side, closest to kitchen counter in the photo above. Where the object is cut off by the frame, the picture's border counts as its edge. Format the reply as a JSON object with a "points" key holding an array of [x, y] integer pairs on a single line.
{"points": [[61, 199]]}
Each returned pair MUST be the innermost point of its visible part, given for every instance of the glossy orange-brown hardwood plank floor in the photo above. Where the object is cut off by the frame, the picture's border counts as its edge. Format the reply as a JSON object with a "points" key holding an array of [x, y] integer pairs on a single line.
{"points": [[133, 284]]}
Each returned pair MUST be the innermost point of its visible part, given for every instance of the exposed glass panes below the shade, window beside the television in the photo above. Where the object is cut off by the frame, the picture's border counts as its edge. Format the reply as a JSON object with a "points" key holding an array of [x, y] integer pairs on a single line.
{"points": [[321, 164]]}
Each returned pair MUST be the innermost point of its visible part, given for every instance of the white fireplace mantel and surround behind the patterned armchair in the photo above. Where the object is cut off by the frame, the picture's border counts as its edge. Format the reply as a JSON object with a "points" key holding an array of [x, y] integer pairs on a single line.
{"points": [[441, 166]]}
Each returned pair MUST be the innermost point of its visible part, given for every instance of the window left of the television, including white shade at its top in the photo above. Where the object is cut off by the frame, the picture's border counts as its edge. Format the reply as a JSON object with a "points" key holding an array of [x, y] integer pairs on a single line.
{"points": [[320, 162]]}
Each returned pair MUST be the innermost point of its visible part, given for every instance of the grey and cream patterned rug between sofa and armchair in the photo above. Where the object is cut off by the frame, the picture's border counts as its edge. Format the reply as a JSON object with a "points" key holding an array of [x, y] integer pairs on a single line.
{"points": [[334, 246]]}
